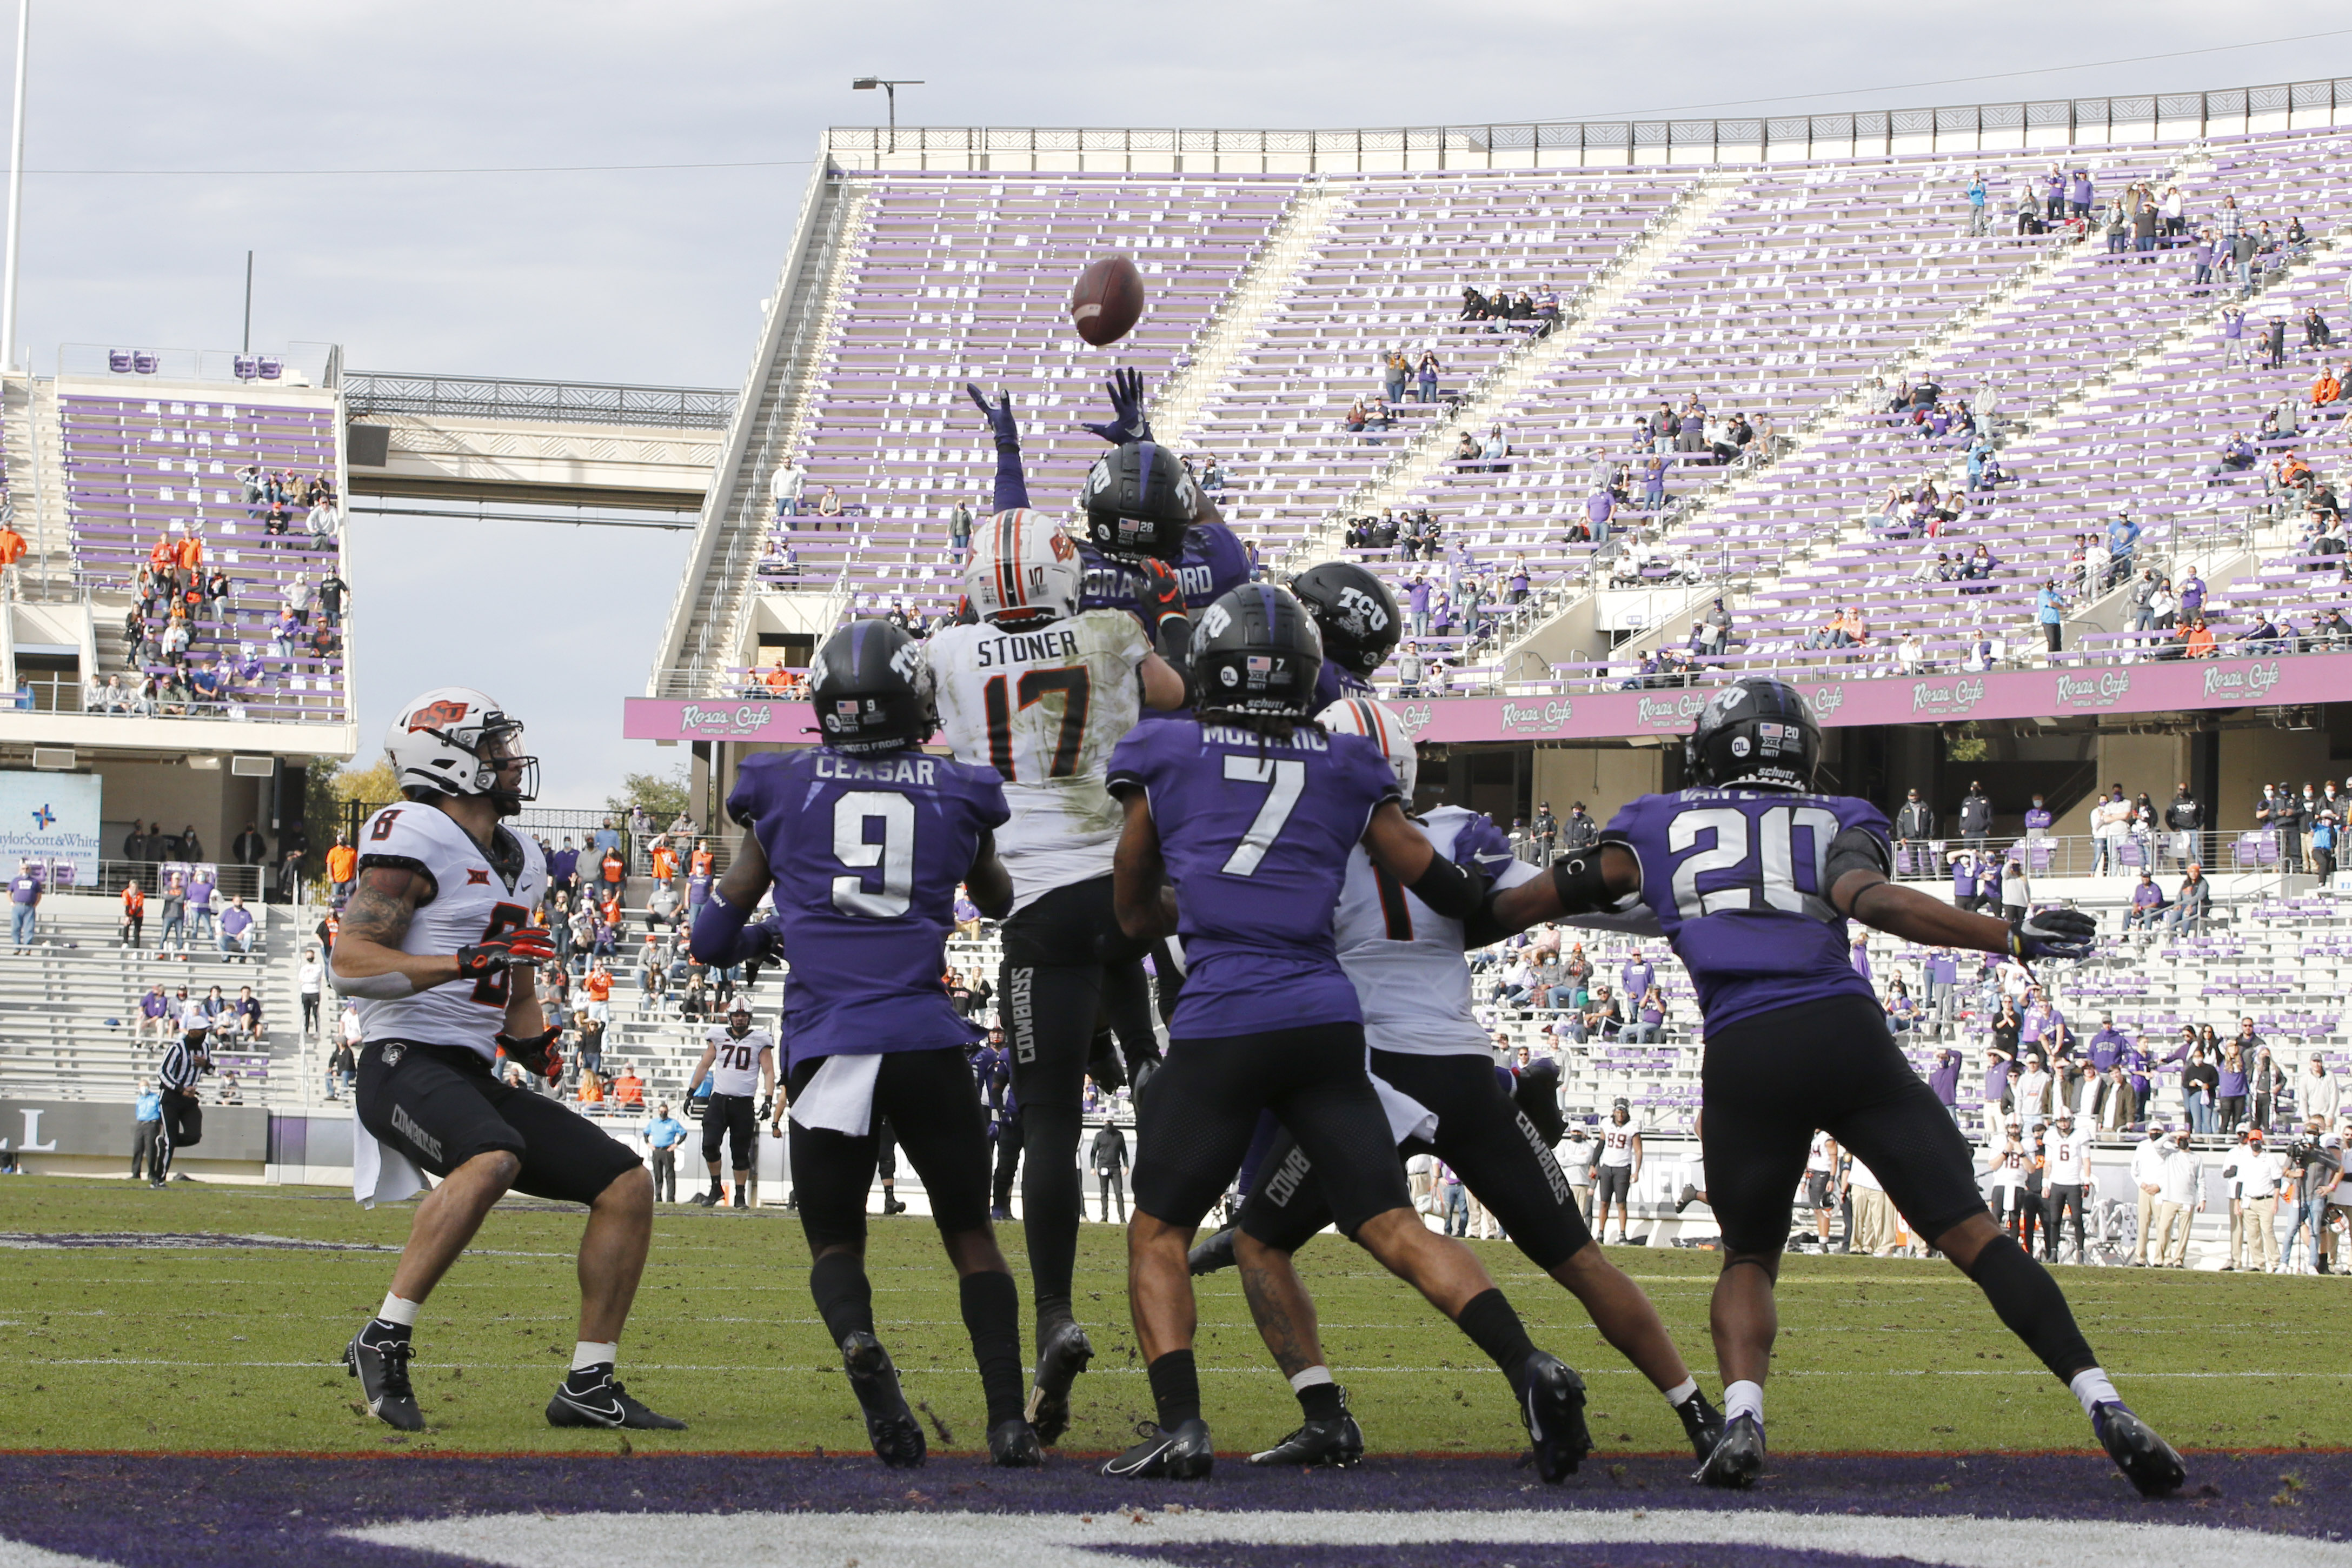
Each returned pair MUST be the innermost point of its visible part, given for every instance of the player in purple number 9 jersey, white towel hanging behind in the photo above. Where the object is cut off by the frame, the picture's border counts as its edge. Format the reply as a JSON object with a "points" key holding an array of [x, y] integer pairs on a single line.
{"points": [[864, 843]]}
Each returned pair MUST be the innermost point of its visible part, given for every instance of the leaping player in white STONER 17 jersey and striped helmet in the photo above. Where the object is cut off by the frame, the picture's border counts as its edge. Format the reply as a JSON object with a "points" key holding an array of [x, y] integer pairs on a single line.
{"points": [[1041, 692]]}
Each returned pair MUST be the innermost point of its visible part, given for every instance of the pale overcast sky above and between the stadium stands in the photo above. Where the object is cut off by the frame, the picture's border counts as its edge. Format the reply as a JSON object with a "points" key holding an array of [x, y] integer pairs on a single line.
{"points": [[657, 274]]}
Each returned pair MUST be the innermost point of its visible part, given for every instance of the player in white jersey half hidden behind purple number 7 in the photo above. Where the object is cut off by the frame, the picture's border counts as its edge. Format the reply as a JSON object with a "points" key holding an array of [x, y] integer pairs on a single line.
{"points": [[1410, 974]]}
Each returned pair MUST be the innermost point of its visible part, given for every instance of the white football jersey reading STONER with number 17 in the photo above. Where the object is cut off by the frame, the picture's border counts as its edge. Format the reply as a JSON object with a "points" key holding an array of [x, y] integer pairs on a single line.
{"points": [[1043, 709]]}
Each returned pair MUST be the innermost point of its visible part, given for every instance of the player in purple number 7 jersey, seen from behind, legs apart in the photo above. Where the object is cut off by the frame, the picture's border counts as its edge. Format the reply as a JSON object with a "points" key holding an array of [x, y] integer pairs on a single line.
{"points": [[1252, 812]]}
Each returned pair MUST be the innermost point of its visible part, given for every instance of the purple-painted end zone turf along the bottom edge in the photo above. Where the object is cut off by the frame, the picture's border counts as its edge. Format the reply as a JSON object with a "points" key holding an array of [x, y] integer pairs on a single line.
{"points": [[272, 1508]]}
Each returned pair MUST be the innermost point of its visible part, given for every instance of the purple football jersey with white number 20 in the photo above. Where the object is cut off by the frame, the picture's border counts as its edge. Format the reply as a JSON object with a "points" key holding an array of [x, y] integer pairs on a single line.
{"points": [[1737, 883]]}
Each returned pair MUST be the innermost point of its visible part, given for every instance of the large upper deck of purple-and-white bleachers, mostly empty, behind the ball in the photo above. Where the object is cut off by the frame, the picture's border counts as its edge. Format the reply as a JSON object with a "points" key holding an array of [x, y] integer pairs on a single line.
{"points": [[1796, 293]]}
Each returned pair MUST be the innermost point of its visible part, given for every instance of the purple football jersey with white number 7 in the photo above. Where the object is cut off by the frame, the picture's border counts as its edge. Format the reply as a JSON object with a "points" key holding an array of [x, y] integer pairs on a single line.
{"points": [[1257, 838]]}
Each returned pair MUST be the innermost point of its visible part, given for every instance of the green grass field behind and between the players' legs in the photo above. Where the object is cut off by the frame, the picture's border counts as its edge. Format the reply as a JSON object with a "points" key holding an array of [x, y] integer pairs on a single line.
{"points": [[236, 1348]]}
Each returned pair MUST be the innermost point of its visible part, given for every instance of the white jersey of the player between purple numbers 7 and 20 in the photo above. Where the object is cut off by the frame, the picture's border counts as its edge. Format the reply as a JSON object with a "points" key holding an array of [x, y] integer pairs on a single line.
{"points": [[1408, 960]]}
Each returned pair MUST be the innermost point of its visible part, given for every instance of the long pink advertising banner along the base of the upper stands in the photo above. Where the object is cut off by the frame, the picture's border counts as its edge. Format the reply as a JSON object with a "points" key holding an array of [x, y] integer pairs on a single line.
{"points": [[1939, 699]]}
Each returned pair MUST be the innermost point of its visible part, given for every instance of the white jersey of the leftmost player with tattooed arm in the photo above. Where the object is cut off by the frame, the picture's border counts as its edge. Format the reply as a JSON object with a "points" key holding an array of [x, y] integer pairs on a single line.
{"points": [[472, 904]]}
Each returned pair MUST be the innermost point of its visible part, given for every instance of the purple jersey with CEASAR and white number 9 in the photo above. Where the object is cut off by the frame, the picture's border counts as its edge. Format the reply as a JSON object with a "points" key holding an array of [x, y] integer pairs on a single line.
{"points": [[867, 855]]}
